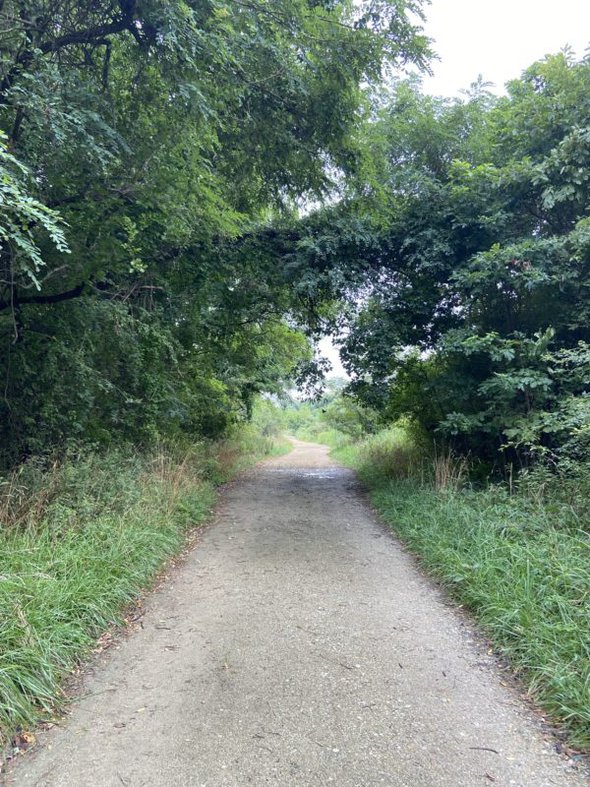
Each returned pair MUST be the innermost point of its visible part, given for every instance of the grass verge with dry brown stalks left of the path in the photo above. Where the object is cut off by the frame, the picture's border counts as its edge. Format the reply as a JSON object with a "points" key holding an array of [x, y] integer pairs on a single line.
{"points": [[79, 542]]}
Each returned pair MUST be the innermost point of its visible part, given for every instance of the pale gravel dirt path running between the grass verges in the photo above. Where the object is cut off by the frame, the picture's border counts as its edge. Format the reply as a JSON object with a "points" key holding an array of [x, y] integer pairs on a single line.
{"points": [[297, 646]]}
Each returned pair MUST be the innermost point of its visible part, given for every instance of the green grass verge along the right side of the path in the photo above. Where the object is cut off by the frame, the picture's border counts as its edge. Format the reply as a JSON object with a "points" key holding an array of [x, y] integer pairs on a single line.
{"points": [[520, 563]]}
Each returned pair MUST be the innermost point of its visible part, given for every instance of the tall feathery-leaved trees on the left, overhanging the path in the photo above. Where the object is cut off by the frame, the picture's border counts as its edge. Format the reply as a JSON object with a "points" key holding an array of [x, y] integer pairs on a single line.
{"points": [[144, 143]]}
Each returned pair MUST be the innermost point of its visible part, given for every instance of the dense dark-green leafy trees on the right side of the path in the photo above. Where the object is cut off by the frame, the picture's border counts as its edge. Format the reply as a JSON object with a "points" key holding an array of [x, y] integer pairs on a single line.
{"points": [[467, 266]]}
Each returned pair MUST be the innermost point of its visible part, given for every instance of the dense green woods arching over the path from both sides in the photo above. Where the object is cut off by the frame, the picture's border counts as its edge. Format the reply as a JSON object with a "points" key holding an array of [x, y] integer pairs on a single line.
{"points": [[156, 269]]}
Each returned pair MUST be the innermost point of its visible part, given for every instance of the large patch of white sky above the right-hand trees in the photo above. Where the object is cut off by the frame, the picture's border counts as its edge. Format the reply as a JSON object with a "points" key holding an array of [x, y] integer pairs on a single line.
{"points": [[499, 39]]}
